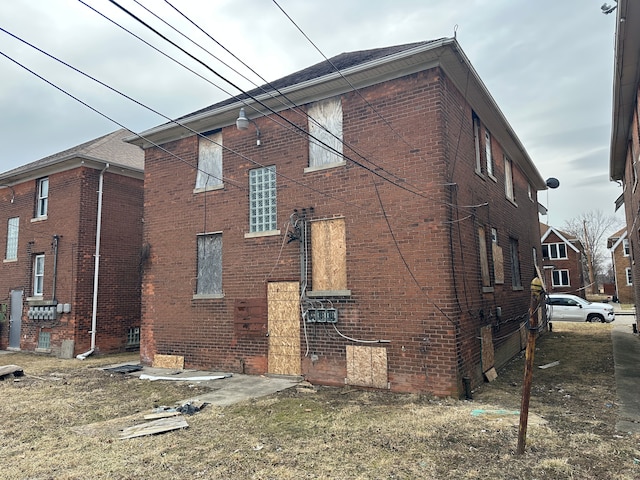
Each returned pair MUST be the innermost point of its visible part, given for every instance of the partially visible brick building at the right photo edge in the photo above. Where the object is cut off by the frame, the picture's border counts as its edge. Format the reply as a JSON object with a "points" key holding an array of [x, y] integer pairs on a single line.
{"points": [[624, 161]]}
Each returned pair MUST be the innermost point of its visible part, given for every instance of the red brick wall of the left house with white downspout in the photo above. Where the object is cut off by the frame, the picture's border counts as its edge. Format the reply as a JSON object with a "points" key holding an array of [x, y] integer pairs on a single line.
{"points": [[72, 216]]}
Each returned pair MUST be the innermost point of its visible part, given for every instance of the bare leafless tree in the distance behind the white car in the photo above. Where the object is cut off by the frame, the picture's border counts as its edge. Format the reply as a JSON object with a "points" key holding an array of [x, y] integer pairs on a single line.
{"points": [[592, 229]]}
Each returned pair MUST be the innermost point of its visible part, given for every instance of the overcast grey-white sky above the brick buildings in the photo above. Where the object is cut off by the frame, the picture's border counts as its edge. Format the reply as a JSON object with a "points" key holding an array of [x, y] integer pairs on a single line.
{"points": [[548, 65]]}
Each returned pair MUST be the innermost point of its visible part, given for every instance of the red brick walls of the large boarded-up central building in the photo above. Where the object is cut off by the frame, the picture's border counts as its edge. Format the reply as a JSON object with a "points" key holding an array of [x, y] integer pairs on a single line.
{"points": [[430, 312]]}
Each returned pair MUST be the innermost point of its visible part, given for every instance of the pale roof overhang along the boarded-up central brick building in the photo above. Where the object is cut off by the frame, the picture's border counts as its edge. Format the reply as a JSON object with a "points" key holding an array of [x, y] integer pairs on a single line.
{"points": [[446, 54]]}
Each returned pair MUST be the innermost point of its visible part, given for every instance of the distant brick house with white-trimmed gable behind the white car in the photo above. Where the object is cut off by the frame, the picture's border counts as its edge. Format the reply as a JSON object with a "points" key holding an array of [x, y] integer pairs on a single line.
{"points": [[562, 260]]}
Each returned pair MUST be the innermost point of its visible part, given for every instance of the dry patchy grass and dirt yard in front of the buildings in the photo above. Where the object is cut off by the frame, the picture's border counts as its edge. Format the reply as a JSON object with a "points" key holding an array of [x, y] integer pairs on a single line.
{"points": [[63, 420]]}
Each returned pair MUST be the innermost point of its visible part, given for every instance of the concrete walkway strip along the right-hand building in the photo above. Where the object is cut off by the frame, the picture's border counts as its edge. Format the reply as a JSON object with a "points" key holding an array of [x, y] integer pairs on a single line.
{"points": [[626, 354]]}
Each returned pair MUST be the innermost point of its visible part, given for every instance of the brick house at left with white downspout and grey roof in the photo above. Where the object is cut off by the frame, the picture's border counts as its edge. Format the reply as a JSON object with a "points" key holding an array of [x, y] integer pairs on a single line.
{"points": [[49, 213]]}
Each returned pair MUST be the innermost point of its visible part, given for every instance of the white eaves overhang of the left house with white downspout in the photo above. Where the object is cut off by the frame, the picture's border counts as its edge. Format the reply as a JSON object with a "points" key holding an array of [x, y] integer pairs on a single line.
{"points": [[64, 164]]}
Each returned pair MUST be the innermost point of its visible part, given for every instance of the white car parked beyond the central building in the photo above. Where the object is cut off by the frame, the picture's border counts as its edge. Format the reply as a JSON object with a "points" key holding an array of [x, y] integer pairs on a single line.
{"points": [[572, 308]]}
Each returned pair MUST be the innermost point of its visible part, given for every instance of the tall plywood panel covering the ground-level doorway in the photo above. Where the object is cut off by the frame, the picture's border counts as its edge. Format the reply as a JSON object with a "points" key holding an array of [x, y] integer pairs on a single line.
{"points": [[283, 311]]}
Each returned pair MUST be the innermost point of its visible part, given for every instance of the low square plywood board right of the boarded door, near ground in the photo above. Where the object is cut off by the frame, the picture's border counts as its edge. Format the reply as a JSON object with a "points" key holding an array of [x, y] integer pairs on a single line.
{"points": [[367, 366]]}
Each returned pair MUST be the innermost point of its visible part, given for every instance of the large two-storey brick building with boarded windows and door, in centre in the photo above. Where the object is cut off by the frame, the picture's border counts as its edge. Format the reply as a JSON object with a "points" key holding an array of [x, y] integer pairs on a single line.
{"points": [[392, 250]]}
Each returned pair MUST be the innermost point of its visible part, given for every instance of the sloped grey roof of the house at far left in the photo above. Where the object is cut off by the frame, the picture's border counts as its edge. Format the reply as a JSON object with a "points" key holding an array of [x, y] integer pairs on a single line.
{"points": [[109, 148]]}
